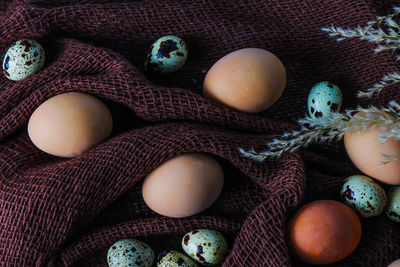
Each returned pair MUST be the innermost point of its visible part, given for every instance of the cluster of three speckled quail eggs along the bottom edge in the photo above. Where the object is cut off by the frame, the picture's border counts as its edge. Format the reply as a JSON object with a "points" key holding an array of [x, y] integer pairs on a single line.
{"points": [[204, 246]]}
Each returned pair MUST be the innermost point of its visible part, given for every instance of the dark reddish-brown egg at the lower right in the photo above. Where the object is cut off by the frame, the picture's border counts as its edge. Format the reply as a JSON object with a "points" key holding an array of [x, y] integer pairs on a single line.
{"points": [[324, 231]]}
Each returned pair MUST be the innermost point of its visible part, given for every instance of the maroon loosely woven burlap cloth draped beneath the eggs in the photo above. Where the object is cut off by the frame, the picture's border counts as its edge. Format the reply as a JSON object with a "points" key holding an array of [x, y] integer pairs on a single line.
{"points": [[56, 211]]}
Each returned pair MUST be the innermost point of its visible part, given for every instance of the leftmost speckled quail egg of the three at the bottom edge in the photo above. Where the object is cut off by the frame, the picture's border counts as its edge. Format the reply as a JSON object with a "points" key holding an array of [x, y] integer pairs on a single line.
{"points": [[130, 252]]}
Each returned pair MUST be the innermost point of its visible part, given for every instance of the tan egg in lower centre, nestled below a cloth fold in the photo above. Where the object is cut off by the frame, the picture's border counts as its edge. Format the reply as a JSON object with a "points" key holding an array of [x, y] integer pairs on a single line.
{"points": [[184, 185]]}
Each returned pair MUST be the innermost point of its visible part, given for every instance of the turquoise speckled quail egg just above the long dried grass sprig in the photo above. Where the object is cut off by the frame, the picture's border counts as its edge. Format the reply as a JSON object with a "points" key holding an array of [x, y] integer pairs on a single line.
{"points": [[324, 98]]}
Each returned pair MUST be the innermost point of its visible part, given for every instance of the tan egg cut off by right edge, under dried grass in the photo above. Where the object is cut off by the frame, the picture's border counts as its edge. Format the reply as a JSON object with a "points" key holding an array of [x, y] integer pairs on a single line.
{"points": [[366, 153]]}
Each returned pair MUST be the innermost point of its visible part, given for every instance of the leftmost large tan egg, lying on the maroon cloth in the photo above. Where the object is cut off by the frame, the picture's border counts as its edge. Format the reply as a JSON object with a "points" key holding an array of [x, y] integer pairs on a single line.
{"points": [[69, 124]]}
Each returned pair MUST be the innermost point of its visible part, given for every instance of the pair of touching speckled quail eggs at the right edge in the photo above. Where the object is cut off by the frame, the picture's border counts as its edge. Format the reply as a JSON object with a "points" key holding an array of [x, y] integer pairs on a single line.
{"points": [[368, 198]]}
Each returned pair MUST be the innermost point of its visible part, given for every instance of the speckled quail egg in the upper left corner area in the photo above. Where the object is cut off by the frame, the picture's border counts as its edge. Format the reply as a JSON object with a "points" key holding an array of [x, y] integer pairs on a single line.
{"points": [[24, 58]]}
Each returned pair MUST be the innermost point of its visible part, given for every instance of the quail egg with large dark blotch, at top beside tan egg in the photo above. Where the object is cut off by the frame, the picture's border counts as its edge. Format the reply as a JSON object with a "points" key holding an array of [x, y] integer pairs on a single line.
{"points": [[167, 55]]}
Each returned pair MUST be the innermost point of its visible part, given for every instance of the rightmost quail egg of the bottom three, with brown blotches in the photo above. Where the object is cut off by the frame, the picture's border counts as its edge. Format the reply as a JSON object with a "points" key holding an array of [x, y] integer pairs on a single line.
{"points": [[205, 246]]}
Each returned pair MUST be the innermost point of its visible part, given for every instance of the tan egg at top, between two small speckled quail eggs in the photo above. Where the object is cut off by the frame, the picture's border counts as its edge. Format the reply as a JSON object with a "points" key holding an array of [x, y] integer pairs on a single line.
{"points": [[249, 80]]}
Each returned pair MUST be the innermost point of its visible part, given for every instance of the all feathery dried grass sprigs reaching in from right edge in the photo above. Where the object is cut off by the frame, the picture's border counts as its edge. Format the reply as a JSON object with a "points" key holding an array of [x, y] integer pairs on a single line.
{"points": [[385, 31]]}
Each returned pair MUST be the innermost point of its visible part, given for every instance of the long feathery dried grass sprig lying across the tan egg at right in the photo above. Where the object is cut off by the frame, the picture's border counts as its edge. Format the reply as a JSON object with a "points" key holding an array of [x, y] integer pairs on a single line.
{"points": [[333, 127]]}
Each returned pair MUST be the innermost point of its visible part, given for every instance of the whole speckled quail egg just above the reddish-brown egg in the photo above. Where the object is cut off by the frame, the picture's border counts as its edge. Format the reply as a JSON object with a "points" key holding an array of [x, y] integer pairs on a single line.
{"points": [[364, 195]]}
